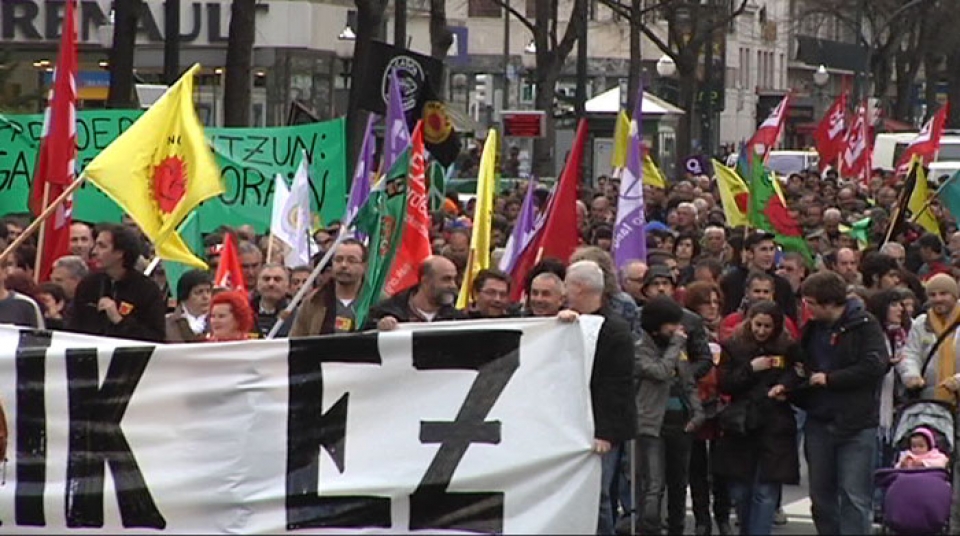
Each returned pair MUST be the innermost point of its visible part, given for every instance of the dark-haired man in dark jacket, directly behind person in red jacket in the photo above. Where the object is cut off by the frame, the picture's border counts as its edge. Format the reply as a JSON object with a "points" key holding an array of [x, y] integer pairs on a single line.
{"points": [[761, 251]]}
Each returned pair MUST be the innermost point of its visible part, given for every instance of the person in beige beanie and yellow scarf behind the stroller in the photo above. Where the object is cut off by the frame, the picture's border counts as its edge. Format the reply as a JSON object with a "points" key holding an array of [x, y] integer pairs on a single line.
{"points": [[930, 355]]}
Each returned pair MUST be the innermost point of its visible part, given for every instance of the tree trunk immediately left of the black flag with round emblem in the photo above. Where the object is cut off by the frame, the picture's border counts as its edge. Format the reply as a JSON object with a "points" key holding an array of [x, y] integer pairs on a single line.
{"points": [[369, 27]]}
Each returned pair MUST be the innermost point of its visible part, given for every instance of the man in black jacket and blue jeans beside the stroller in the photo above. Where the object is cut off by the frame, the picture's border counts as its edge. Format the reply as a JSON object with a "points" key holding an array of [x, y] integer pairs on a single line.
{"points": [[845, 359]]}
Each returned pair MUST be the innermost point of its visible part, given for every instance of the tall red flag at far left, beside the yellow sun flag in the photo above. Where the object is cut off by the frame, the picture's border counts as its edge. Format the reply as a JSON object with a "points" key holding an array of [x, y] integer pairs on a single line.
{"points": [[56, 161]]}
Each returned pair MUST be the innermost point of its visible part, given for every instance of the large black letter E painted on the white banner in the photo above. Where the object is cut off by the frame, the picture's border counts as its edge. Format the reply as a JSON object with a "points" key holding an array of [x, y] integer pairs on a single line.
{"points": [[309, 429]]}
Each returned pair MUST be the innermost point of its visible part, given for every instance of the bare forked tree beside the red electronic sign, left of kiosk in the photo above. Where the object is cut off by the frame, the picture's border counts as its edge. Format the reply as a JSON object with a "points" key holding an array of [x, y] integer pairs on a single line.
{"points": [[552, 52]]}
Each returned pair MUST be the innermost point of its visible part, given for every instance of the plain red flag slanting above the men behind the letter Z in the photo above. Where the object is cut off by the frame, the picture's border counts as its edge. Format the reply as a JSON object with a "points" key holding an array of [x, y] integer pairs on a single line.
{"points": [[558, 236]]}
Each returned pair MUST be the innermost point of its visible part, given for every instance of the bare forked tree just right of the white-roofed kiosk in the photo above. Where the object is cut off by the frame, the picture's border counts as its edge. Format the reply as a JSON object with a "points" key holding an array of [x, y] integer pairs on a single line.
{"points": [[691, 26]]}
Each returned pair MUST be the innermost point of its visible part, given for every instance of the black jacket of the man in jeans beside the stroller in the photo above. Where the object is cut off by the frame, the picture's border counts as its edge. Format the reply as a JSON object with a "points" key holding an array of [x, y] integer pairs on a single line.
{"points": [[853, 385]]}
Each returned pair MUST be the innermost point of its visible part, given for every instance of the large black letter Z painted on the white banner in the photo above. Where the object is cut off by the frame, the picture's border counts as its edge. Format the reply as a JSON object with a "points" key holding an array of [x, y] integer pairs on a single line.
{"points": [[495, 355]]}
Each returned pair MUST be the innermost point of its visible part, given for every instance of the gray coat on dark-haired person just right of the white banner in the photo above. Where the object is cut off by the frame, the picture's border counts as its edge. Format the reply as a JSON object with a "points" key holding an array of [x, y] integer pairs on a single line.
{"points": [[655, 370]]}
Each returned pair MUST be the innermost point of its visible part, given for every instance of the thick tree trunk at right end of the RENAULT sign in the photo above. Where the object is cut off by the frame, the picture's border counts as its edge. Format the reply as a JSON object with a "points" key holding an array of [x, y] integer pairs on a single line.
{"points": [[237, 82]]}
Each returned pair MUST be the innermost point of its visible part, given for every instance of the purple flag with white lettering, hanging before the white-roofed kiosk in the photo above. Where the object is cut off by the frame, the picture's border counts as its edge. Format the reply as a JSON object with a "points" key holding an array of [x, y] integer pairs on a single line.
{"points": [[629, 237]]}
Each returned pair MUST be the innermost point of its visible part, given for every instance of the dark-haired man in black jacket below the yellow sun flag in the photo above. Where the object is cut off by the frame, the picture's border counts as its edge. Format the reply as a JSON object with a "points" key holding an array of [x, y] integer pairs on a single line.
{"points": [[118, 301]]}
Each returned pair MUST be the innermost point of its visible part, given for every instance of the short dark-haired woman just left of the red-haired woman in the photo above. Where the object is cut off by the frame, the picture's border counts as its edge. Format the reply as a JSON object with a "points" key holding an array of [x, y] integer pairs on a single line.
{"points": [[188, 323]]}
